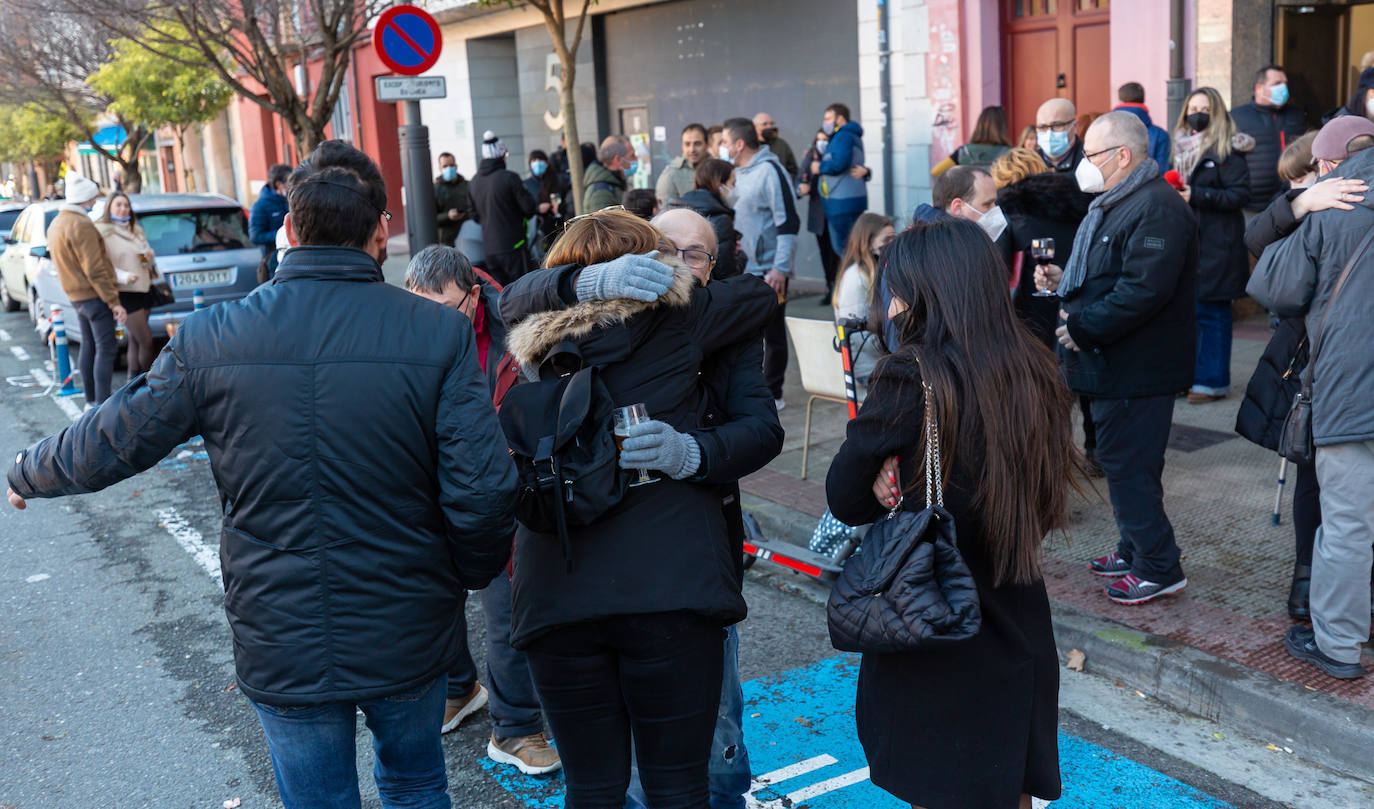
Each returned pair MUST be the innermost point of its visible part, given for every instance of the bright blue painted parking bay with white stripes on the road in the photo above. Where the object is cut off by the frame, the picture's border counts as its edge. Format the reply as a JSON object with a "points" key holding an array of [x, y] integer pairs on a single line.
{"points": [[804, 749]]}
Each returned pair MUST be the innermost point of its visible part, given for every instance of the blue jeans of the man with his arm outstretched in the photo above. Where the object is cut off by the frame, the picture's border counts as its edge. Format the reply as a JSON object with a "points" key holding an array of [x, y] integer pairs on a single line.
{"points": [[315, 760]]}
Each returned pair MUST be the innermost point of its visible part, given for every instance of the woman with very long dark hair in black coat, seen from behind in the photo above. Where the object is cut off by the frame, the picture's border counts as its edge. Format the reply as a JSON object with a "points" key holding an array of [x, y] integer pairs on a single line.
{"points": [[973, 725]]}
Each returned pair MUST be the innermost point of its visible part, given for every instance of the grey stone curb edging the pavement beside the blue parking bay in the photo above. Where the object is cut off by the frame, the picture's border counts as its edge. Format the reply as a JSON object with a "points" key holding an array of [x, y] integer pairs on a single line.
{"points": [[1318, 727]]}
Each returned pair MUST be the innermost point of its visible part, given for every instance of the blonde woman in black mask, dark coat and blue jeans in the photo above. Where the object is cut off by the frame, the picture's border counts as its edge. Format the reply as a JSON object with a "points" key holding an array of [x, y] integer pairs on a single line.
{"points": [[1210, 157]]}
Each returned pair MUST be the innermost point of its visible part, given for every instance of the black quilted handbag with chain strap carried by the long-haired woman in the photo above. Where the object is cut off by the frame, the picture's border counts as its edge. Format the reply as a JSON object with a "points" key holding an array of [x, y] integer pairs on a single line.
{"points": [[908, 589]]}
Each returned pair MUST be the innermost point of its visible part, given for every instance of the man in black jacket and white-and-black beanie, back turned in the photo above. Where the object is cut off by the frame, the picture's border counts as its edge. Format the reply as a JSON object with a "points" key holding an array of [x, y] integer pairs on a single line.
{"points": [[502, 207]]}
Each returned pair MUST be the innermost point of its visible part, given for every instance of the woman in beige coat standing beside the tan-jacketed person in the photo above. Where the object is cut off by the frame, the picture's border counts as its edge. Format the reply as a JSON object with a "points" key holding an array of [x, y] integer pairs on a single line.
{"points": [[135, 270]]}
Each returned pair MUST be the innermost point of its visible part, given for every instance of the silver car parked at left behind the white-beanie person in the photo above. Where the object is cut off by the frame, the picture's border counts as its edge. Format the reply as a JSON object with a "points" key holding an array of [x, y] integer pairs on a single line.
{"points": [[201, 242]]}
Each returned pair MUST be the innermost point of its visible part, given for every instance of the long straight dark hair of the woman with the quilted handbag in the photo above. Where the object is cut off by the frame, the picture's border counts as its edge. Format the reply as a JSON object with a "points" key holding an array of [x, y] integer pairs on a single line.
{"points": [[993, 380]]}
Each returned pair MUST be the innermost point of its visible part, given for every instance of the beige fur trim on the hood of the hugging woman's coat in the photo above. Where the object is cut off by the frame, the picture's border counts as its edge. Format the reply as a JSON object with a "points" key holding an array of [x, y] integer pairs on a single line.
{"points": [[531, 339]]}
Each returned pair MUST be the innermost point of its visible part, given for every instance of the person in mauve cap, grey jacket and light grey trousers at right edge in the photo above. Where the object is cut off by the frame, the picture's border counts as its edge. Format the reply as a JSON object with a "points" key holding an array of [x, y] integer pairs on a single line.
{"points": [[1306, 277]]}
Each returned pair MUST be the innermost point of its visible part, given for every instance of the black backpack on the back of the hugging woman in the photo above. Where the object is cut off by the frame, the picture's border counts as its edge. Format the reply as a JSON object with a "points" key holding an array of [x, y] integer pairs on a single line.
{"points": [[560, 435]]}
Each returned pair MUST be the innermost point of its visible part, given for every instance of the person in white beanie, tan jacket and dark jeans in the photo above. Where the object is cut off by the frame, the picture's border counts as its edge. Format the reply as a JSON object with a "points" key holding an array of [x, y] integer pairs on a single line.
{"points": [[87, 278]]}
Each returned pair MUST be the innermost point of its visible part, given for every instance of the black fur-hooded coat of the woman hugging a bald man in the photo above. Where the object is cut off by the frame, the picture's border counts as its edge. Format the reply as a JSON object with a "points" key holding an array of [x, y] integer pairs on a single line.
{"points": [[667, 546]]}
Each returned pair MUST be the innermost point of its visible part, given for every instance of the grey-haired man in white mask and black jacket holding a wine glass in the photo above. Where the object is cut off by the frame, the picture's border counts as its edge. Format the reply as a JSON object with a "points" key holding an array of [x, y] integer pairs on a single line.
{"points": [[1127, 341]]}
